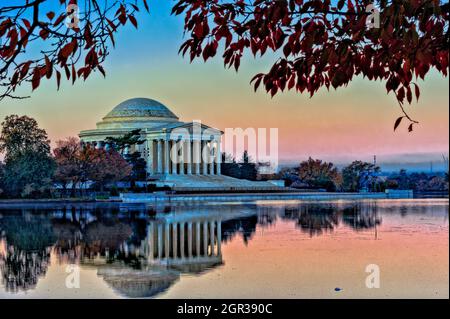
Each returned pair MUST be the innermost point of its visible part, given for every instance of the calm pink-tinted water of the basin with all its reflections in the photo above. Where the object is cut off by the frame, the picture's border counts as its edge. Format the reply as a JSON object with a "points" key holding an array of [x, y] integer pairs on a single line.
{"points": [[282, 249]]}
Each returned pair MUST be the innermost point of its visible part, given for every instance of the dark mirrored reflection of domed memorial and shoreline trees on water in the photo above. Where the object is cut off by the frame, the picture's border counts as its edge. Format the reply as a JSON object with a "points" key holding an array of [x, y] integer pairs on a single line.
{"points": [[141, 251]]}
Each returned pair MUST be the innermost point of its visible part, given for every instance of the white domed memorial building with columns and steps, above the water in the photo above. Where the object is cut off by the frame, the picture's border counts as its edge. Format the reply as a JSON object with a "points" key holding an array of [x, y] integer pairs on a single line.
{"points": [[181, 155]]}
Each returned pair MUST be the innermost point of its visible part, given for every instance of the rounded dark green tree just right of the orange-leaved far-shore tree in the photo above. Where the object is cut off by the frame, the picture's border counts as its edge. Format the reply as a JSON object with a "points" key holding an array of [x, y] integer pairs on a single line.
{"points": [[358, 175]]}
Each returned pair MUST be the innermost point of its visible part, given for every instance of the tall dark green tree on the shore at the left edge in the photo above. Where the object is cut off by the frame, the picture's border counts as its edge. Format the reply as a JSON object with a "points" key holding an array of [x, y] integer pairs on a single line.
{"points": [[29, 166]]}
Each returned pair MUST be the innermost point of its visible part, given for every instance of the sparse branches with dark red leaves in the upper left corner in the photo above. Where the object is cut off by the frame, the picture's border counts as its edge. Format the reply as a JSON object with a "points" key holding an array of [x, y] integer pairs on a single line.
{"points": [[73, 49]]}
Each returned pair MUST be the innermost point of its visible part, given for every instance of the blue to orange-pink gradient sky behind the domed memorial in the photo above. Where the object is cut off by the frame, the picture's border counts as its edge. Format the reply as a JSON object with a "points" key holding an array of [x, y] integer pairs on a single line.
{"points": [[355, 122]]}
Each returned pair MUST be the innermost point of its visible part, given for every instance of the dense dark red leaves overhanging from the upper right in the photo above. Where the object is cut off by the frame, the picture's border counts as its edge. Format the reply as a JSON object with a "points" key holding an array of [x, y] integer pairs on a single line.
{"points": [[323, 43]]}
